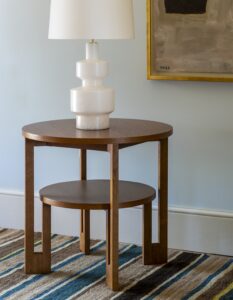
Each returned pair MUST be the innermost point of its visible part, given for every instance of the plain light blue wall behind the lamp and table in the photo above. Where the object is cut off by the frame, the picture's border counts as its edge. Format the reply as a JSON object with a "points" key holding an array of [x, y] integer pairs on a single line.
{"points": [[36, 75]]}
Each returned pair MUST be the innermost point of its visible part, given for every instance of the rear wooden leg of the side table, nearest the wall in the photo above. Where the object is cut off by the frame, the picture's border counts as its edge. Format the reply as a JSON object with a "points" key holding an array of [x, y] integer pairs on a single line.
{"points": [[85, 214]]}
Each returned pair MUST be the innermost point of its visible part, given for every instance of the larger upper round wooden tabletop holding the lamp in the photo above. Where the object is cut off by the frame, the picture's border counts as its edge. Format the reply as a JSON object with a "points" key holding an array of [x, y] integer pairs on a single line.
{"points": [[121, 131]]}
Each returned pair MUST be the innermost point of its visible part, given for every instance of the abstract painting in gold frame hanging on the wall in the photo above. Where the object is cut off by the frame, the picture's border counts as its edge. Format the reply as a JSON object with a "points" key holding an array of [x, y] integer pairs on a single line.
{"points": [[190, 40]]}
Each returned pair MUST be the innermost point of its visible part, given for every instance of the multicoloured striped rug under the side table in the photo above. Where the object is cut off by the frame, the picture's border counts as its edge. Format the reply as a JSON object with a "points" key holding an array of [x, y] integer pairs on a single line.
{"points": [[76, 276]]}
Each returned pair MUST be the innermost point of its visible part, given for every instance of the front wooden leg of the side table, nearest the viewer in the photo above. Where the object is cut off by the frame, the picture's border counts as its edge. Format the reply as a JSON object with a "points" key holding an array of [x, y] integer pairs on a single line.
{"points": [[112, 222]]}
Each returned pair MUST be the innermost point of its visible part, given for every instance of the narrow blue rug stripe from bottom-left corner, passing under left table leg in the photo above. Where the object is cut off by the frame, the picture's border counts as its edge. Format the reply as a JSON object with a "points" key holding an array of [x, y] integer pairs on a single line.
{"points": [[38, 277]]}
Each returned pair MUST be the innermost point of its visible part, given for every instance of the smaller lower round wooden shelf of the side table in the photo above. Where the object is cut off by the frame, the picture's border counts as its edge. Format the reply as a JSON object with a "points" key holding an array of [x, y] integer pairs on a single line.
{"points": [[95, 194]]}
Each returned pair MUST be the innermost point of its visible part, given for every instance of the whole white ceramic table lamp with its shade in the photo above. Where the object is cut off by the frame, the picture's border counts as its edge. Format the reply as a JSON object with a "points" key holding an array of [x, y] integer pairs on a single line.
{"points": [[92, 20]]}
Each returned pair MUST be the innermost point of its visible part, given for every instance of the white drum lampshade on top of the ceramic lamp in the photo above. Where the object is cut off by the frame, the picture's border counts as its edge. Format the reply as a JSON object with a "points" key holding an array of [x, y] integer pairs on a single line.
{"points": [[91, 19]]}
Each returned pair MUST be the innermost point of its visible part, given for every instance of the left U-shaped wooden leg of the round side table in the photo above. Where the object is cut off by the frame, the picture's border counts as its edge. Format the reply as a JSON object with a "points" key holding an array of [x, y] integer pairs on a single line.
{"points": [[35, 263]]}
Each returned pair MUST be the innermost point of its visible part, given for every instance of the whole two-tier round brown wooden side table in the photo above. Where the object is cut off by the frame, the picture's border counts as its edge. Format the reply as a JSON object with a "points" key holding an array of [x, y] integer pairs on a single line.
{"points": [[85, 195]]}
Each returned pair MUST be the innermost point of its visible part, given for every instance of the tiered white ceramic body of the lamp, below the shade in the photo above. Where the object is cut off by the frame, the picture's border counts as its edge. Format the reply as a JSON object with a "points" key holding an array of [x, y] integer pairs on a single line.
{"points": [[92, 102]]}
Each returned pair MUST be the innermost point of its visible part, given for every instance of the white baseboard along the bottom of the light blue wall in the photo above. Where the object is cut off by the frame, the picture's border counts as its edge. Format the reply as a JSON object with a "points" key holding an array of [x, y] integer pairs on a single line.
{"points": [[189, 229]]}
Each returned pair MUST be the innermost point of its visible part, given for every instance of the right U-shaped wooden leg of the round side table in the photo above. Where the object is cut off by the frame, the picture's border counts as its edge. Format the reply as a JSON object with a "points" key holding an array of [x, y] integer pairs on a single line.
{"points": [[156, 253]]}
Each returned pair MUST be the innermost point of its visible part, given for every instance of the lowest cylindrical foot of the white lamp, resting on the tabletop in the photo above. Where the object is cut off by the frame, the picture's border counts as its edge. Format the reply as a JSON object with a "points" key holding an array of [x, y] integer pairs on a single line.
{"points": [[92, 122]]}
